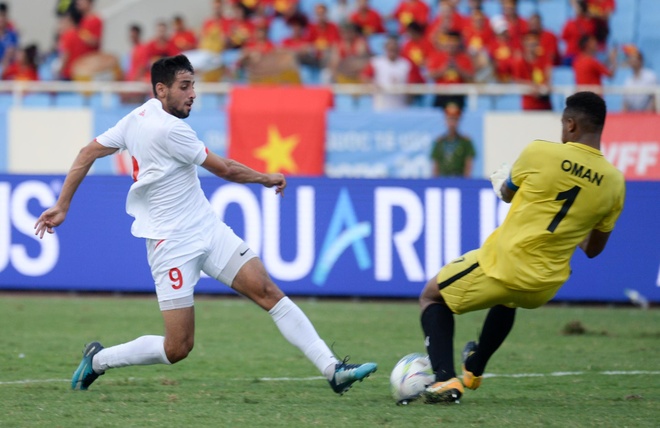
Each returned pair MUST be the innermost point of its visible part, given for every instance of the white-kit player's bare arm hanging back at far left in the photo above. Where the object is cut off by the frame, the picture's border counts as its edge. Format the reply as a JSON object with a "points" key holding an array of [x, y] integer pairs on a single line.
{"points": [[55, 215]]}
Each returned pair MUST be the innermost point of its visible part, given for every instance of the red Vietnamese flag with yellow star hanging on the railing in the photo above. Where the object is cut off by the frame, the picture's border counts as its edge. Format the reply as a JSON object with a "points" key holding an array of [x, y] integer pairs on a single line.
{"points": [[279, 129]]}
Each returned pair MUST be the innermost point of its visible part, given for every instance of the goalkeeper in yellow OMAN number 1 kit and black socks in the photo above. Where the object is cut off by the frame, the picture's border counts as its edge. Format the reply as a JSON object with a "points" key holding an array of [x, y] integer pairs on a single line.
{"points": [[563, 196]]}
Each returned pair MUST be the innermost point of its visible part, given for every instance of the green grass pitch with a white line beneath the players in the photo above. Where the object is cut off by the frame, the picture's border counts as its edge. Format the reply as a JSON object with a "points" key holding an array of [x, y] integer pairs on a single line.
{"points": [[243, 373]]}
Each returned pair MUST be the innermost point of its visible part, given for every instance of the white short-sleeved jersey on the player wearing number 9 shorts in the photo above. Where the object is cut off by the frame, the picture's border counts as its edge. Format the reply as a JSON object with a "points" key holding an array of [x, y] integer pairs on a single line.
{"points": [[166, 198]]}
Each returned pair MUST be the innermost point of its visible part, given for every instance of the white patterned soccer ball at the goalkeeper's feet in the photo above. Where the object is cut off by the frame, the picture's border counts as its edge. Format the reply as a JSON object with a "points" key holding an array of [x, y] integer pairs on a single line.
{"points": [[410, 377]]}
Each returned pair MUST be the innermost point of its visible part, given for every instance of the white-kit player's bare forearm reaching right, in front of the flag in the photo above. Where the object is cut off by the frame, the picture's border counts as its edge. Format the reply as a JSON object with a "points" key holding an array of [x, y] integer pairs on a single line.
{"points": [[236, 172]]}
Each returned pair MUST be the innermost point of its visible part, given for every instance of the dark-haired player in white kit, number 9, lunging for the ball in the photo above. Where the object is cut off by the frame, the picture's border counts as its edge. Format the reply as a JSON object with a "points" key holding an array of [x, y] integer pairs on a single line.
{"points": [[183, 235]]}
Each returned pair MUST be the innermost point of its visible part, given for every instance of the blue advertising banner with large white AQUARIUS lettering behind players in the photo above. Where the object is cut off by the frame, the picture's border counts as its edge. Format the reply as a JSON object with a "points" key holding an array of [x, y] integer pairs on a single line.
{"points": [[327, 237]]}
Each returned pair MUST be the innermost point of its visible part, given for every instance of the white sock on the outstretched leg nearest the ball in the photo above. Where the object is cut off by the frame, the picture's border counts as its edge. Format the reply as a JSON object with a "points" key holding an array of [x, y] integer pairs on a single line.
{"points": [[299, 331]]}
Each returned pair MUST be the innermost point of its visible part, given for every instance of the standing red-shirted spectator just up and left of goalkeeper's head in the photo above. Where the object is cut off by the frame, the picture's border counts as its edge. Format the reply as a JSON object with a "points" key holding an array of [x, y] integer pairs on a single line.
{"points": [[534, 69]]}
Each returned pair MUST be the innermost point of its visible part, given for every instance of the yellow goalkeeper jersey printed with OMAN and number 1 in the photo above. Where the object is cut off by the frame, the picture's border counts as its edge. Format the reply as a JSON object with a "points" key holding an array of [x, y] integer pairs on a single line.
{"points": [[563, 191]]}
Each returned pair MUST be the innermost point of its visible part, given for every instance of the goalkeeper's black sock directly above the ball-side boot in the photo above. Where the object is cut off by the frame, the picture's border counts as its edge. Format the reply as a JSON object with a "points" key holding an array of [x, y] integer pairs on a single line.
{"points": [[438, 326]]}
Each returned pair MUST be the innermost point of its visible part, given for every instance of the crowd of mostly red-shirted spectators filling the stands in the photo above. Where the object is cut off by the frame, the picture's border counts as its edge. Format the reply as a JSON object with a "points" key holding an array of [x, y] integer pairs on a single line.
{"points": [[425, 44]]}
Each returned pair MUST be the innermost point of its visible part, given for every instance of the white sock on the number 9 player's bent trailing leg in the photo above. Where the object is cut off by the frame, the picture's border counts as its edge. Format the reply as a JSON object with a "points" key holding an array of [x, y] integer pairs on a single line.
{"points": [[142, 351]]}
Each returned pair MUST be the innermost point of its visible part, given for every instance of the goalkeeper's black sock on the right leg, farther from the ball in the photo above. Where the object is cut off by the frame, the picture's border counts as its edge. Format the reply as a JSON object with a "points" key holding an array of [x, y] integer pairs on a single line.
{"points": [[497, 326]]}
